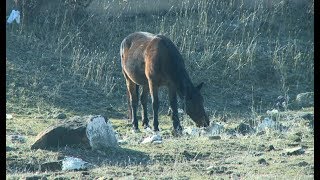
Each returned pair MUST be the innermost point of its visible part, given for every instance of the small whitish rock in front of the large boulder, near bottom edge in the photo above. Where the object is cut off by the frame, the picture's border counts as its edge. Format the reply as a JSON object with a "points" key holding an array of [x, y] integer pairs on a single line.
{"points": [[72, 163]]}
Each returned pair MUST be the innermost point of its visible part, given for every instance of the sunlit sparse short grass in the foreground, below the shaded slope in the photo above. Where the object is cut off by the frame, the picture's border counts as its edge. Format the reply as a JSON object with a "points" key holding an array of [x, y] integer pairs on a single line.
{"points": [[176, 158]]}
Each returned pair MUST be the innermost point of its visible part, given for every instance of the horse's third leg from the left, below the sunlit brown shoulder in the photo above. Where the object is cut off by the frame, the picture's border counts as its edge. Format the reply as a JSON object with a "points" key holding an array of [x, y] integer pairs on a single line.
{"points": [[155, 104]]}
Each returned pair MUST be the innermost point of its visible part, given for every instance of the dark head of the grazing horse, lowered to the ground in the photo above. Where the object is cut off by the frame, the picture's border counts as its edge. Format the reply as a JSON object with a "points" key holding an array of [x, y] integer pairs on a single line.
{"points": [[194, 107]]}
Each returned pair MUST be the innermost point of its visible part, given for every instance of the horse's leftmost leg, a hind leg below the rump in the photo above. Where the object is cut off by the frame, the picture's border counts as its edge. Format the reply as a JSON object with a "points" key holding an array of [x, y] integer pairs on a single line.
{"points": [[133, 98]]}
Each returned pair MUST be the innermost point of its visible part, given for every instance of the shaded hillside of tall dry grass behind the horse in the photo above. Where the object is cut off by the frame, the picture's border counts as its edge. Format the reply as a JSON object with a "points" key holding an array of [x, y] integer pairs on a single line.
{"points": [[246, 56]]}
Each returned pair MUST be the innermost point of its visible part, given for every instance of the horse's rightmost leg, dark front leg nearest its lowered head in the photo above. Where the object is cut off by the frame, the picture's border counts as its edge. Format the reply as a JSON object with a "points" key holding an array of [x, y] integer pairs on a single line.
{"points": [[174, 111]]}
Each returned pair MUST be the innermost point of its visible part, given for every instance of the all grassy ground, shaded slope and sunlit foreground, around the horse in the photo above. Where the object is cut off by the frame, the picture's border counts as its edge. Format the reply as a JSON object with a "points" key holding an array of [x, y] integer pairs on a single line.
{"points": [[247, 56]]}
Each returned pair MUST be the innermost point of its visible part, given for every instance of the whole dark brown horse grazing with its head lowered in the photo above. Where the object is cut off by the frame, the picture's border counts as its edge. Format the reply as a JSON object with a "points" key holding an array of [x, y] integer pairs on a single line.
{"points": [[152, 61]]}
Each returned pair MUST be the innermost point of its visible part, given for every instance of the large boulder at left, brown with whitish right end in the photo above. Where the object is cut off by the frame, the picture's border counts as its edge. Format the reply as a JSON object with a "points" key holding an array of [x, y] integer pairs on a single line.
{"points": [[87, 131]]}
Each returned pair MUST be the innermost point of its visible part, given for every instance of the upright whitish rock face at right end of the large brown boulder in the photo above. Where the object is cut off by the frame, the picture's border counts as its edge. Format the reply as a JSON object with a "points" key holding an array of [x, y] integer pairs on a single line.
{"points": [[100, 133]]}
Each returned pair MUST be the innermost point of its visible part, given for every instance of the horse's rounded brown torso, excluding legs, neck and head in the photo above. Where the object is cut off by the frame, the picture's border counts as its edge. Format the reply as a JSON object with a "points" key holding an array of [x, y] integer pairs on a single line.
{"points": [[145, 55]]}
